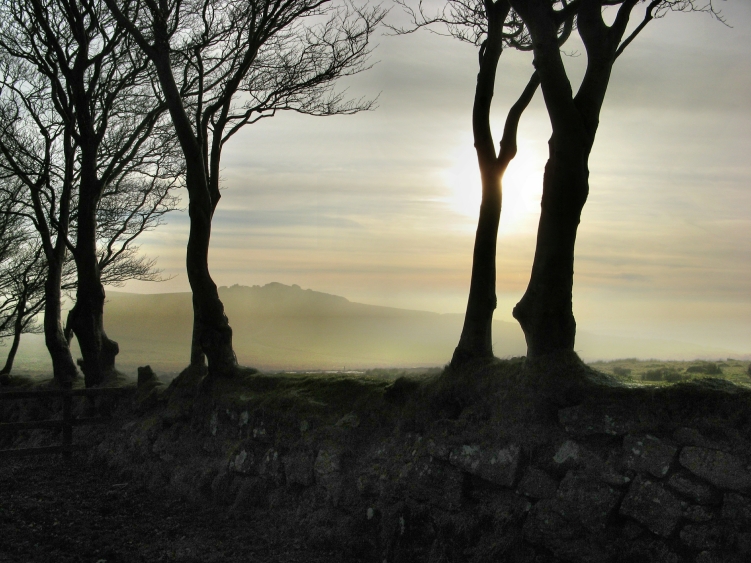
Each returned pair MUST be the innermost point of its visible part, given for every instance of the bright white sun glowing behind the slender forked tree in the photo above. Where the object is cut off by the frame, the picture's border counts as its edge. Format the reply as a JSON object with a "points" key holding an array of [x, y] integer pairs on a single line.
{"points": [[522, 186]]}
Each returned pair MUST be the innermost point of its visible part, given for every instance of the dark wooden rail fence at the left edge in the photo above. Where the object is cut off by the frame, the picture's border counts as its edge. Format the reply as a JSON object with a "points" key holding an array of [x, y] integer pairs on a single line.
{"points": [[67, 422]]}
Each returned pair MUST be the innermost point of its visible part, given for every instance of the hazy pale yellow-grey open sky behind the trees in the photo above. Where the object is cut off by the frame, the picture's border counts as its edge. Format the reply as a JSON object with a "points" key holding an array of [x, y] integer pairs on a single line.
{"points": [[381, 207]]}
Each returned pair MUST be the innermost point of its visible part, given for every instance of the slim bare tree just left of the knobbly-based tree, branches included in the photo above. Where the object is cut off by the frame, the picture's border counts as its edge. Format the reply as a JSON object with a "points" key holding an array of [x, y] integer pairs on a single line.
{"points": [[37, 152]]}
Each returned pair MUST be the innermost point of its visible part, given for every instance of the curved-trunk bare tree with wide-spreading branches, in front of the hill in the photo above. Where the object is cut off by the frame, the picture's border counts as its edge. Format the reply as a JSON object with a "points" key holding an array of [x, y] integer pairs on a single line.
{"points": [[223, 64]]}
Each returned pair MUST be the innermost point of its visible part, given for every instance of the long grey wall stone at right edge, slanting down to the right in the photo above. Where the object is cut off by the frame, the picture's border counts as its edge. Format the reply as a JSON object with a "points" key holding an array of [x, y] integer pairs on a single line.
{"points": [[722, 469]]}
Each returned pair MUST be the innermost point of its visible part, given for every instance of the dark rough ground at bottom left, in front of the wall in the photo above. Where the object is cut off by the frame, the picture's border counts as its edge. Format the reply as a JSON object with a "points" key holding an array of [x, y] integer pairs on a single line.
{"points": [[68, 511]]}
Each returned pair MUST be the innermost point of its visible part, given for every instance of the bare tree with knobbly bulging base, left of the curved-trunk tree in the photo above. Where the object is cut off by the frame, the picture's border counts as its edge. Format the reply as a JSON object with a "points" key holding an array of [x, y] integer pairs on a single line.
{"points": [[102, 91]]}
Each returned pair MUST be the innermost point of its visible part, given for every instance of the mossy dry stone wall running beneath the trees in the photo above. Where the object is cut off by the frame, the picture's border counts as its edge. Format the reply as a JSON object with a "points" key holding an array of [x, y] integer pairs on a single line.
{"points": [[636, 476]]}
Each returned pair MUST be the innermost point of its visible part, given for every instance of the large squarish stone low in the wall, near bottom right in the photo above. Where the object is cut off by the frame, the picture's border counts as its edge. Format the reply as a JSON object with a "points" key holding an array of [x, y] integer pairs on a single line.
{"points": [[651, 505]]}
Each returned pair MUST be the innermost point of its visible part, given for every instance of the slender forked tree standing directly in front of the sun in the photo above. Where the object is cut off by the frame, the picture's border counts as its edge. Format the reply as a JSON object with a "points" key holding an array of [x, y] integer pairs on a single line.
{"points": [[491, 26]]}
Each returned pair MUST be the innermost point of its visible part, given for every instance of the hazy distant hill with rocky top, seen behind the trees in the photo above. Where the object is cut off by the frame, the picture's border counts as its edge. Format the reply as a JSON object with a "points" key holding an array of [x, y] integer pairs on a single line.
{"points": [[278, 327]]}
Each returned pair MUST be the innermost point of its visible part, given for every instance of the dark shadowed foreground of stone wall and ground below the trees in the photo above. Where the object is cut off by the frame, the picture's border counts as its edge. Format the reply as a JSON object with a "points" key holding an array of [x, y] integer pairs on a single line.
{"points": [[504, 461]]}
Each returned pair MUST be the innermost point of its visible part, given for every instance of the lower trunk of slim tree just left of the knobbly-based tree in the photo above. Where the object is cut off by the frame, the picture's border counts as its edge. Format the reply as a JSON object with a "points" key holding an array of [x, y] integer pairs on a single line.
{"points": [[63, 366]]}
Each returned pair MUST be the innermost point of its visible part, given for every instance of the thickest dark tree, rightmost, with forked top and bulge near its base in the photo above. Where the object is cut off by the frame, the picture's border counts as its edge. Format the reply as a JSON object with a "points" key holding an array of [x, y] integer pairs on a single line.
{"points": [[545, 311]]}
